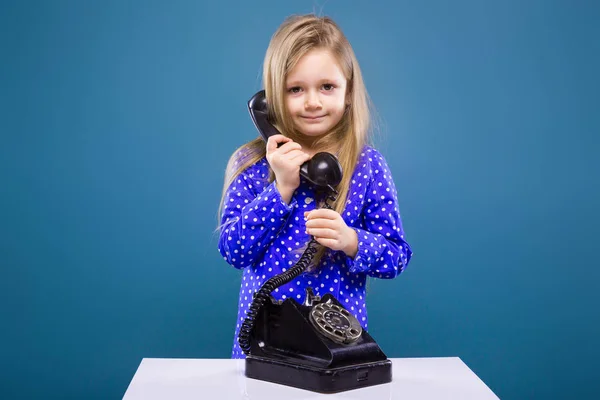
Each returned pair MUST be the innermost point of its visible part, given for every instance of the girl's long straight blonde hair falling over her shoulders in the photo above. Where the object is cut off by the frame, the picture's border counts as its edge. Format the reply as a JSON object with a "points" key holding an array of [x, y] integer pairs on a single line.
{"points": [[296, 36]]}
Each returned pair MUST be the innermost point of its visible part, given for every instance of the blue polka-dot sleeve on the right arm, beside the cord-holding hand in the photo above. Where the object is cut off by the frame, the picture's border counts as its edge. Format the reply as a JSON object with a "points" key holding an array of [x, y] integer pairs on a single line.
{"points": [[382, 250]]}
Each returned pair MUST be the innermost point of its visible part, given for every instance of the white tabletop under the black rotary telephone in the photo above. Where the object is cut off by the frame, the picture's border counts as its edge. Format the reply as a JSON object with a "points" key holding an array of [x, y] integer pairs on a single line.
{"points": [[199, 379]]}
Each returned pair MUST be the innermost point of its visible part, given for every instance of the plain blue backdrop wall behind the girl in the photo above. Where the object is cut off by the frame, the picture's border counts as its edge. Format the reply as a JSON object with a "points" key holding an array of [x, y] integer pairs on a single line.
{"points": [[117, 119]]}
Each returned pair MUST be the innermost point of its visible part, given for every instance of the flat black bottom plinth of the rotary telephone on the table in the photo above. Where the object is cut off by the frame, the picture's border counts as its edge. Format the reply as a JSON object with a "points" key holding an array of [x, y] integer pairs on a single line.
{"points": [[322, 380]]}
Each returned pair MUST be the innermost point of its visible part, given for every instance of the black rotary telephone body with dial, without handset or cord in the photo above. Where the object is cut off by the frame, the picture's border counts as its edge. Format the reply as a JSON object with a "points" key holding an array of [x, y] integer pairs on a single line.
{"points": [[292, 344]]}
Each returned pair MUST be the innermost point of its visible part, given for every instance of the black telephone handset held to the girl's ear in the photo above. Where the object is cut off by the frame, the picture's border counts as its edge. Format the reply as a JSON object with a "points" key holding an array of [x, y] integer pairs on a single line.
{"points": [[323, 169]]}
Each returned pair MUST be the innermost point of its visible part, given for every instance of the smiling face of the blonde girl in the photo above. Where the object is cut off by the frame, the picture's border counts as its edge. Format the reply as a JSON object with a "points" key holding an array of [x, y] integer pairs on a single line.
{"points": [[316, 93]]}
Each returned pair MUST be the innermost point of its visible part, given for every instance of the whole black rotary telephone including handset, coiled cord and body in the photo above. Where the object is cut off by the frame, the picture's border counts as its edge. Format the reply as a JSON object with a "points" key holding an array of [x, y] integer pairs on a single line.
{"points": [[317, 345]]}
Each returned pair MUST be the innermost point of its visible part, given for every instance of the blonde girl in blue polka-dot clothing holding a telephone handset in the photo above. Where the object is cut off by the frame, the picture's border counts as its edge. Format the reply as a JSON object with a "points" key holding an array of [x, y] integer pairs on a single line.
{"points": [[318, 100]]}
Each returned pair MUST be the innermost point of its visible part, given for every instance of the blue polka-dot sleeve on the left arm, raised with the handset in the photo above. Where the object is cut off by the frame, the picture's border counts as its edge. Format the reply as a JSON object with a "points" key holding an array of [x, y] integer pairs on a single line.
{"points": [[251, 220]]}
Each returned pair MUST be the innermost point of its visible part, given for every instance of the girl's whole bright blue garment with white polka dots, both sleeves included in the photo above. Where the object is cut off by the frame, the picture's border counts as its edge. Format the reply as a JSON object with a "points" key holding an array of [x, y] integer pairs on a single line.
{"points": [[263, 236]]}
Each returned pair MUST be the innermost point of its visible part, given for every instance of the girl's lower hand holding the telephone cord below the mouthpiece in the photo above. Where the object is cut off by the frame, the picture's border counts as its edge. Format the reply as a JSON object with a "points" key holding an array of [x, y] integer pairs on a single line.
{"points": [[330, 230]]}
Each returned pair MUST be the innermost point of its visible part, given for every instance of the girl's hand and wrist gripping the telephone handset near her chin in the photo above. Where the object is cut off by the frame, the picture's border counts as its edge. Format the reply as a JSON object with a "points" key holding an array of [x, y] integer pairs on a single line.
{"points": [[285, 161]]}
